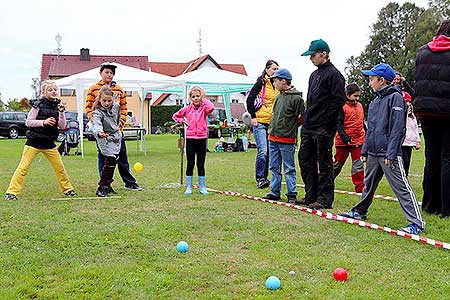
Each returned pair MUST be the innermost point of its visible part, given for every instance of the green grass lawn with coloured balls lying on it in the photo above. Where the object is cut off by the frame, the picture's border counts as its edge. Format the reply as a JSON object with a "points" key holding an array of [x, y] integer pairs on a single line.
{"points": [[124, 248]]}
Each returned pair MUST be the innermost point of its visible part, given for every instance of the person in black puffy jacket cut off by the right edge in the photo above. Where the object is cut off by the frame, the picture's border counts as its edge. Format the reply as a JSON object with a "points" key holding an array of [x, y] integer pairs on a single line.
{"points": [[432, 106]]}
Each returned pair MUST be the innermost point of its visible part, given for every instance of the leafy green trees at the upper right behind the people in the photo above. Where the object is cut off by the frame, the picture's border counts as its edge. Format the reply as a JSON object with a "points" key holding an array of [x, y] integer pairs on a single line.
{"points": [[395, 38]]}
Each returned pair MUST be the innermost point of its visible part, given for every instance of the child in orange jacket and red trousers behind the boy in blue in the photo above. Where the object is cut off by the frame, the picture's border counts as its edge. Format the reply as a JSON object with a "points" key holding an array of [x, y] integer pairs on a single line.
{"points": [[350, 136]]}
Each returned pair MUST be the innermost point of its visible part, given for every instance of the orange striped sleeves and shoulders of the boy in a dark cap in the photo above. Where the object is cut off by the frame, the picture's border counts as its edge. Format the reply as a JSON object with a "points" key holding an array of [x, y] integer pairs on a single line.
{"points": [[119, 96]]}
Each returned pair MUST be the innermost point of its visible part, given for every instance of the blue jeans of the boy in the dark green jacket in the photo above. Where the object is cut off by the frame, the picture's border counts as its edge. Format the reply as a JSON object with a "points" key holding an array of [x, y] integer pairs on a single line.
{"points": [[282, 153]]}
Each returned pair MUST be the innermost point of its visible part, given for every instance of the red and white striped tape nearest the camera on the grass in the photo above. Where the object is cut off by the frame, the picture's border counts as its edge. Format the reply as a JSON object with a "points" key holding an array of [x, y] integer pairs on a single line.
{"points": [[334, 217]]}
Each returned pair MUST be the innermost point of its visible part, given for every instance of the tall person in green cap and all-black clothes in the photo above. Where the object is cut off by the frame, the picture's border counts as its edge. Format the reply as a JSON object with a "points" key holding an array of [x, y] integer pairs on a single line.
{"points": [[325, 99]]}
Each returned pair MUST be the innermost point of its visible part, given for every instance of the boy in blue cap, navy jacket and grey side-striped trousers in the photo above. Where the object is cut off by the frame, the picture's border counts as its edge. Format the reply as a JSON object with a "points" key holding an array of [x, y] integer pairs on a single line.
{"points": [[382, 149]]}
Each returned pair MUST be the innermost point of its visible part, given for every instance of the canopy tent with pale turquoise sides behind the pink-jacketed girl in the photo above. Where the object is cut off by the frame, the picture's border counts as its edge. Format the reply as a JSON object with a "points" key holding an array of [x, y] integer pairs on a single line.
{"points": [[215, 82]]}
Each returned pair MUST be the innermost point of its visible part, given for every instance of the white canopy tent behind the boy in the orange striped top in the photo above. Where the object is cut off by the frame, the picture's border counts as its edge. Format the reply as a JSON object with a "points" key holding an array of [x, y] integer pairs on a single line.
{"points": [[129, 78]]}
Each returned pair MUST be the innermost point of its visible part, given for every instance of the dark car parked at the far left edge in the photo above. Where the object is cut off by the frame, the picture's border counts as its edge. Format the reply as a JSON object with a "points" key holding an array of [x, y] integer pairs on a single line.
{"points": [[12, 124]]}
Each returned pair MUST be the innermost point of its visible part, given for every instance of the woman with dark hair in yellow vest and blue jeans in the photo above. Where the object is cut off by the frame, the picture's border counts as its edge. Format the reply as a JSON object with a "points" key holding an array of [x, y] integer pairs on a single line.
{"points": [[261, 119]]}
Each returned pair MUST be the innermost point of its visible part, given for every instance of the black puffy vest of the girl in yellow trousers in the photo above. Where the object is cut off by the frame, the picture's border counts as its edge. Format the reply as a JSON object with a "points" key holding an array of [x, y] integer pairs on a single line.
{"points": [[44, 137]]}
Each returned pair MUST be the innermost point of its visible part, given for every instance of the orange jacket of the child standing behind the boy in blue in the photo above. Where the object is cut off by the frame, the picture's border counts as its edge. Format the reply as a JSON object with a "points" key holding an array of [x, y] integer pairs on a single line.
{"points": [[352, 119]]}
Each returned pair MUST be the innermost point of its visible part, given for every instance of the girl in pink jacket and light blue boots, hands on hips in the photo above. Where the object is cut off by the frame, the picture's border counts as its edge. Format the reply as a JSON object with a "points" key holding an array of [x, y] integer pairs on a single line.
{"points": [[194, 118]]}
